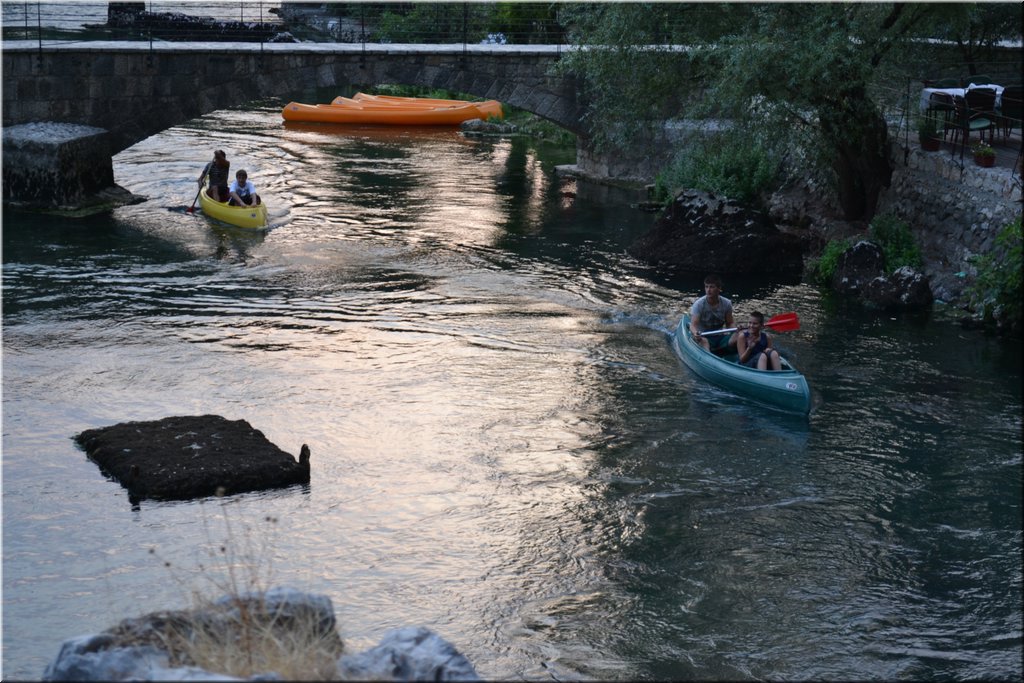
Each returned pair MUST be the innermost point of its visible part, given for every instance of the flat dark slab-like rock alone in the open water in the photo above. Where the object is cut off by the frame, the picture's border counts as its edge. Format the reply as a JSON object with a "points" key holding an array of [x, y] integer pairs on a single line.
{"points": [[183, 458]]}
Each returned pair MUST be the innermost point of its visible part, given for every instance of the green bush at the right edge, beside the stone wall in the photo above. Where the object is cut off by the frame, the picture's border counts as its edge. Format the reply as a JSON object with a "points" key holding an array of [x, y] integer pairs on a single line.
{"points": [[997, 290]]}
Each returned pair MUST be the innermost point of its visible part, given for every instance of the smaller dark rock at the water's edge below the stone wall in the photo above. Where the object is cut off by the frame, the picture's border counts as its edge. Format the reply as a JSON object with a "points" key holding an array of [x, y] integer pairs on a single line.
{"points": [[861, 274]]}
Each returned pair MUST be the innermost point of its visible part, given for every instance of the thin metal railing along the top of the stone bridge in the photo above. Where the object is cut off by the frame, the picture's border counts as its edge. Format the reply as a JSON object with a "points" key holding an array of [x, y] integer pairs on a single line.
{"points": [[379, 23]]}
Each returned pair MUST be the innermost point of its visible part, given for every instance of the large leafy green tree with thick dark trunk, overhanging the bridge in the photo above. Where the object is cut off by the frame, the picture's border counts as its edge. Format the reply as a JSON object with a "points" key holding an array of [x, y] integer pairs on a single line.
{"points": [[794, 68]]}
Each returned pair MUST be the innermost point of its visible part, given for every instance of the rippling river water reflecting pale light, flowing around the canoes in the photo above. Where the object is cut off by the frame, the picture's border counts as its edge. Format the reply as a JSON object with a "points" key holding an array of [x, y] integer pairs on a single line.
{"points": [[504, 448]]}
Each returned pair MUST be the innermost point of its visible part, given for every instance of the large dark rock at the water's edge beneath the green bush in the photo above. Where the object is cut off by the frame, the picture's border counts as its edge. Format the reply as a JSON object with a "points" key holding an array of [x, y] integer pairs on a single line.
{"points": [[701, 234]]}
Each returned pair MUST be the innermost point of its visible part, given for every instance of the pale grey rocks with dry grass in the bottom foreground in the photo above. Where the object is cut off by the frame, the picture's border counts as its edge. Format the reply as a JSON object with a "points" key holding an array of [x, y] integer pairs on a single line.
{"points": [[165, 647]]}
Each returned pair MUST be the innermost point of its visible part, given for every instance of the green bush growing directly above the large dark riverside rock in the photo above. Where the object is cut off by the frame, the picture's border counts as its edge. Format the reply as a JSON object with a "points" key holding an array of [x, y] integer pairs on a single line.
{"points": [[734, 165]]}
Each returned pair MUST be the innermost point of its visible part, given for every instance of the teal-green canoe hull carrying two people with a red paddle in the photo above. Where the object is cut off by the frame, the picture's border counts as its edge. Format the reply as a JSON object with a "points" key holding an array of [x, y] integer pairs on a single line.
{"points": [[786, 390]]}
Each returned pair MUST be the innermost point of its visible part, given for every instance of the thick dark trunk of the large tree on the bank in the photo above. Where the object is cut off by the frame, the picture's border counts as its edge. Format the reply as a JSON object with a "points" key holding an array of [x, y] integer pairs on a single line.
{"points": [[860, 141]]}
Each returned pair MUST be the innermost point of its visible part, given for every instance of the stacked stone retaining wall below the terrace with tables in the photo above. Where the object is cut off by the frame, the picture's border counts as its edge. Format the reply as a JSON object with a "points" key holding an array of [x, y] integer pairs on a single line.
{"points": [[954, 214]]}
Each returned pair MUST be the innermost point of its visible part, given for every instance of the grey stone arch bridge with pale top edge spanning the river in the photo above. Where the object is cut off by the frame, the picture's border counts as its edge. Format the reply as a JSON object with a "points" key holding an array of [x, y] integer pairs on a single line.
{"points": [[132, 91]]}
